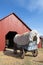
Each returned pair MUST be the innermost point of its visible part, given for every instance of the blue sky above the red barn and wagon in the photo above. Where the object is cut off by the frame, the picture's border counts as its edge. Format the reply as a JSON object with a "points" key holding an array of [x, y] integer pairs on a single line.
{"points": [[30, 11]]}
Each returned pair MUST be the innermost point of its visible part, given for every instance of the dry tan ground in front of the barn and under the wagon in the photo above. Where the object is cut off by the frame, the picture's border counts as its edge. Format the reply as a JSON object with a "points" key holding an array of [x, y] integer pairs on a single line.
{"points": [[8, 58]]}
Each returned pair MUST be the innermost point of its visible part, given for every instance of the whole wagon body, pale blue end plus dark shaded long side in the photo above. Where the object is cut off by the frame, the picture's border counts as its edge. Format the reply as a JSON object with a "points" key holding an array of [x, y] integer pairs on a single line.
{"points": [[29, 47]]}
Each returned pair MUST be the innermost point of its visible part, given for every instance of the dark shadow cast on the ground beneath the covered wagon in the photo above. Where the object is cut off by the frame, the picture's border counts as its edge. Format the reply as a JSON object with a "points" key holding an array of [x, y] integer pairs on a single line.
{"points": [[11, 53]]}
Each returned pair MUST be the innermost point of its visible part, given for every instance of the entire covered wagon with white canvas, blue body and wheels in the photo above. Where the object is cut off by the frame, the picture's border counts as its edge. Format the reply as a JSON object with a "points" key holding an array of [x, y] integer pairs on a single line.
{"points": [[26, 42]]}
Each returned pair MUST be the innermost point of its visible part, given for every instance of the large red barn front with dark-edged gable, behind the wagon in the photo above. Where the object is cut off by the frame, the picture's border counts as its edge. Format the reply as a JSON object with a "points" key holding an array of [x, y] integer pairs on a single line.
{"points": [[11, 23]]}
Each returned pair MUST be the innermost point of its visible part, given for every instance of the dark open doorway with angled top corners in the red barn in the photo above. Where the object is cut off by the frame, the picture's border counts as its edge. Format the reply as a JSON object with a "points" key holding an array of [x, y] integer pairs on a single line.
{"points": [[9, 39]]}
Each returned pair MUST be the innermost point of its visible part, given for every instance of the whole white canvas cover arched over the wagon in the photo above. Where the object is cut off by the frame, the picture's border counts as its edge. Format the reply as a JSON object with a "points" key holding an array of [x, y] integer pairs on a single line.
{"points": [[24, 38]]}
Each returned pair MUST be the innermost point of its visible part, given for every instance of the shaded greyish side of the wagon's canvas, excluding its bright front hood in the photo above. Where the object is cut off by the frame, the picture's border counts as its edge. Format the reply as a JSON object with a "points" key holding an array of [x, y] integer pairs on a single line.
{"points": [[22, 39]]}
